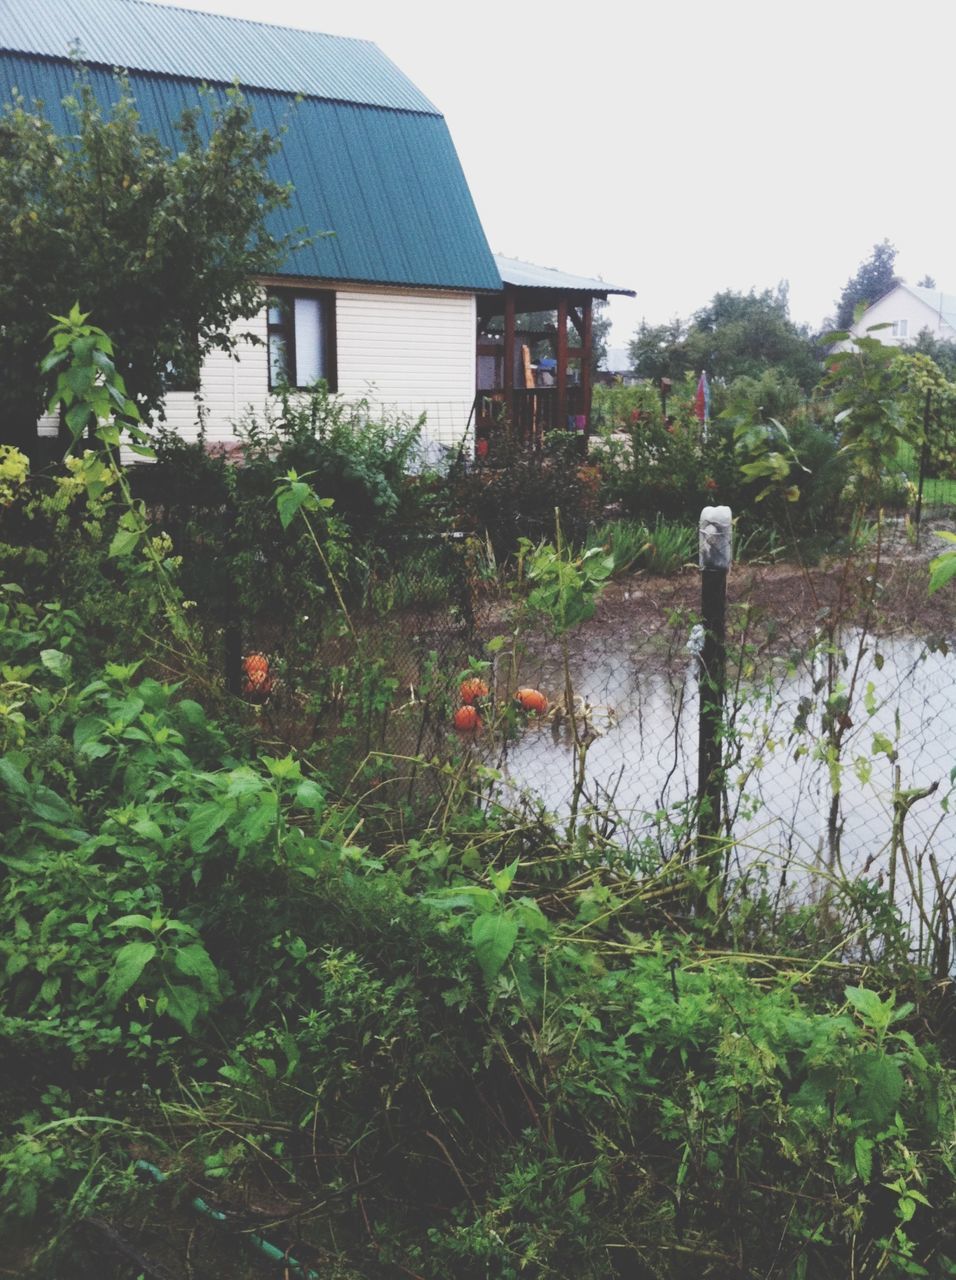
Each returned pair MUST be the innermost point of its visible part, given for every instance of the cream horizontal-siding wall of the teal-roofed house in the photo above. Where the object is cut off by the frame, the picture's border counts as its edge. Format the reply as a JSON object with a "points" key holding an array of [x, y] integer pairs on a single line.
{"points": [[404, 353]]}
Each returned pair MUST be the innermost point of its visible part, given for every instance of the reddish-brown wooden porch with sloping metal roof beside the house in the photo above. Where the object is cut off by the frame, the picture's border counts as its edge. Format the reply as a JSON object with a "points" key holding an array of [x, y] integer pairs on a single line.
{"points": [[519, 388]]}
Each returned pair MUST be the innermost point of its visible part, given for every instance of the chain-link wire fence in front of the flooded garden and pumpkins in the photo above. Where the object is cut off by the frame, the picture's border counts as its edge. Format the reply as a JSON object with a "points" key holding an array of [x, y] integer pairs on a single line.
{"points": [[839, 730]]}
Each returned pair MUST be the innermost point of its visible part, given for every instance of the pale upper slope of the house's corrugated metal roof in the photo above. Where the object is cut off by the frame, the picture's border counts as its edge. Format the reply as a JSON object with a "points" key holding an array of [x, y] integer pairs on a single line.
{"points": [[207, 47]]}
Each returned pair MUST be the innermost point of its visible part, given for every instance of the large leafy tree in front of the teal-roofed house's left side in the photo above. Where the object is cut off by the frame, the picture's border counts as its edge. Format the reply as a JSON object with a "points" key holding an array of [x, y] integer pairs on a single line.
{"points": [[161, 249]]}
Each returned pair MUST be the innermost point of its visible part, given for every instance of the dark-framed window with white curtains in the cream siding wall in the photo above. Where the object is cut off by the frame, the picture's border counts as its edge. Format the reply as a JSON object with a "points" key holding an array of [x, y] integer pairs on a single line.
{"points": [[301, 340]]}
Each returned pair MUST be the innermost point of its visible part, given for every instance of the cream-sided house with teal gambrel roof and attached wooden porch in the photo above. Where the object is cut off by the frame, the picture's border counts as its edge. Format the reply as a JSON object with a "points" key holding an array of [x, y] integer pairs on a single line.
{"points": [[387, 309]]}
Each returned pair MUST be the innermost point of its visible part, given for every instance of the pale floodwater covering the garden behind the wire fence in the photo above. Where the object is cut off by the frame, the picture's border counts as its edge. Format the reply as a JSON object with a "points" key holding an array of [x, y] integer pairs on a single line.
{"points": [[899, 740]]}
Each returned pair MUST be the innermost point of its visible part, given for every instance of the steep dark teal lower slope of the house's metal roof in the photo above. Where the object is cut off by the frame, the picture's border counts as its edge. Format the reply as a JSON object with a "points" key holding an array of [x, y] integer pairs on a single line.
{"points": [[386, 181]]}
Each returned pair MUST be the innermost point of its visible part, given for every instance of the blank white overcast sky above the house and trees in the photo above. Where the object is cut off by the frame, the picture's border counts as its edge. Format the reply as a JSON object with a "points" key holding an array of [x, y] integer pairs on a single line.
{"points": [[679, 148]]}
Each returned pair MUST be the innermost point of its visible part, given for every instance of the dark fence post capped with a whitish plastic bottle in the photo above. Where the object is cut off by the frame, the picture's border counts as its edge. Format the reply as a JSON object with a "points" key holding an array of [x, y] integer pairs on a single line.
{"points": [[716, 550]]}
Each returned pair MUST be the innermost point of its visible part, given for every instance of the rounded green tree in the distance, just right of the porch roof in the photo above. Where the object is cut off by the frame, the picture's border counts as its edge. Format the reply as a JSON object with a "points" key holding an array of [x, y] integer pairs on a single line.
{"points": [[734, 336]]}
